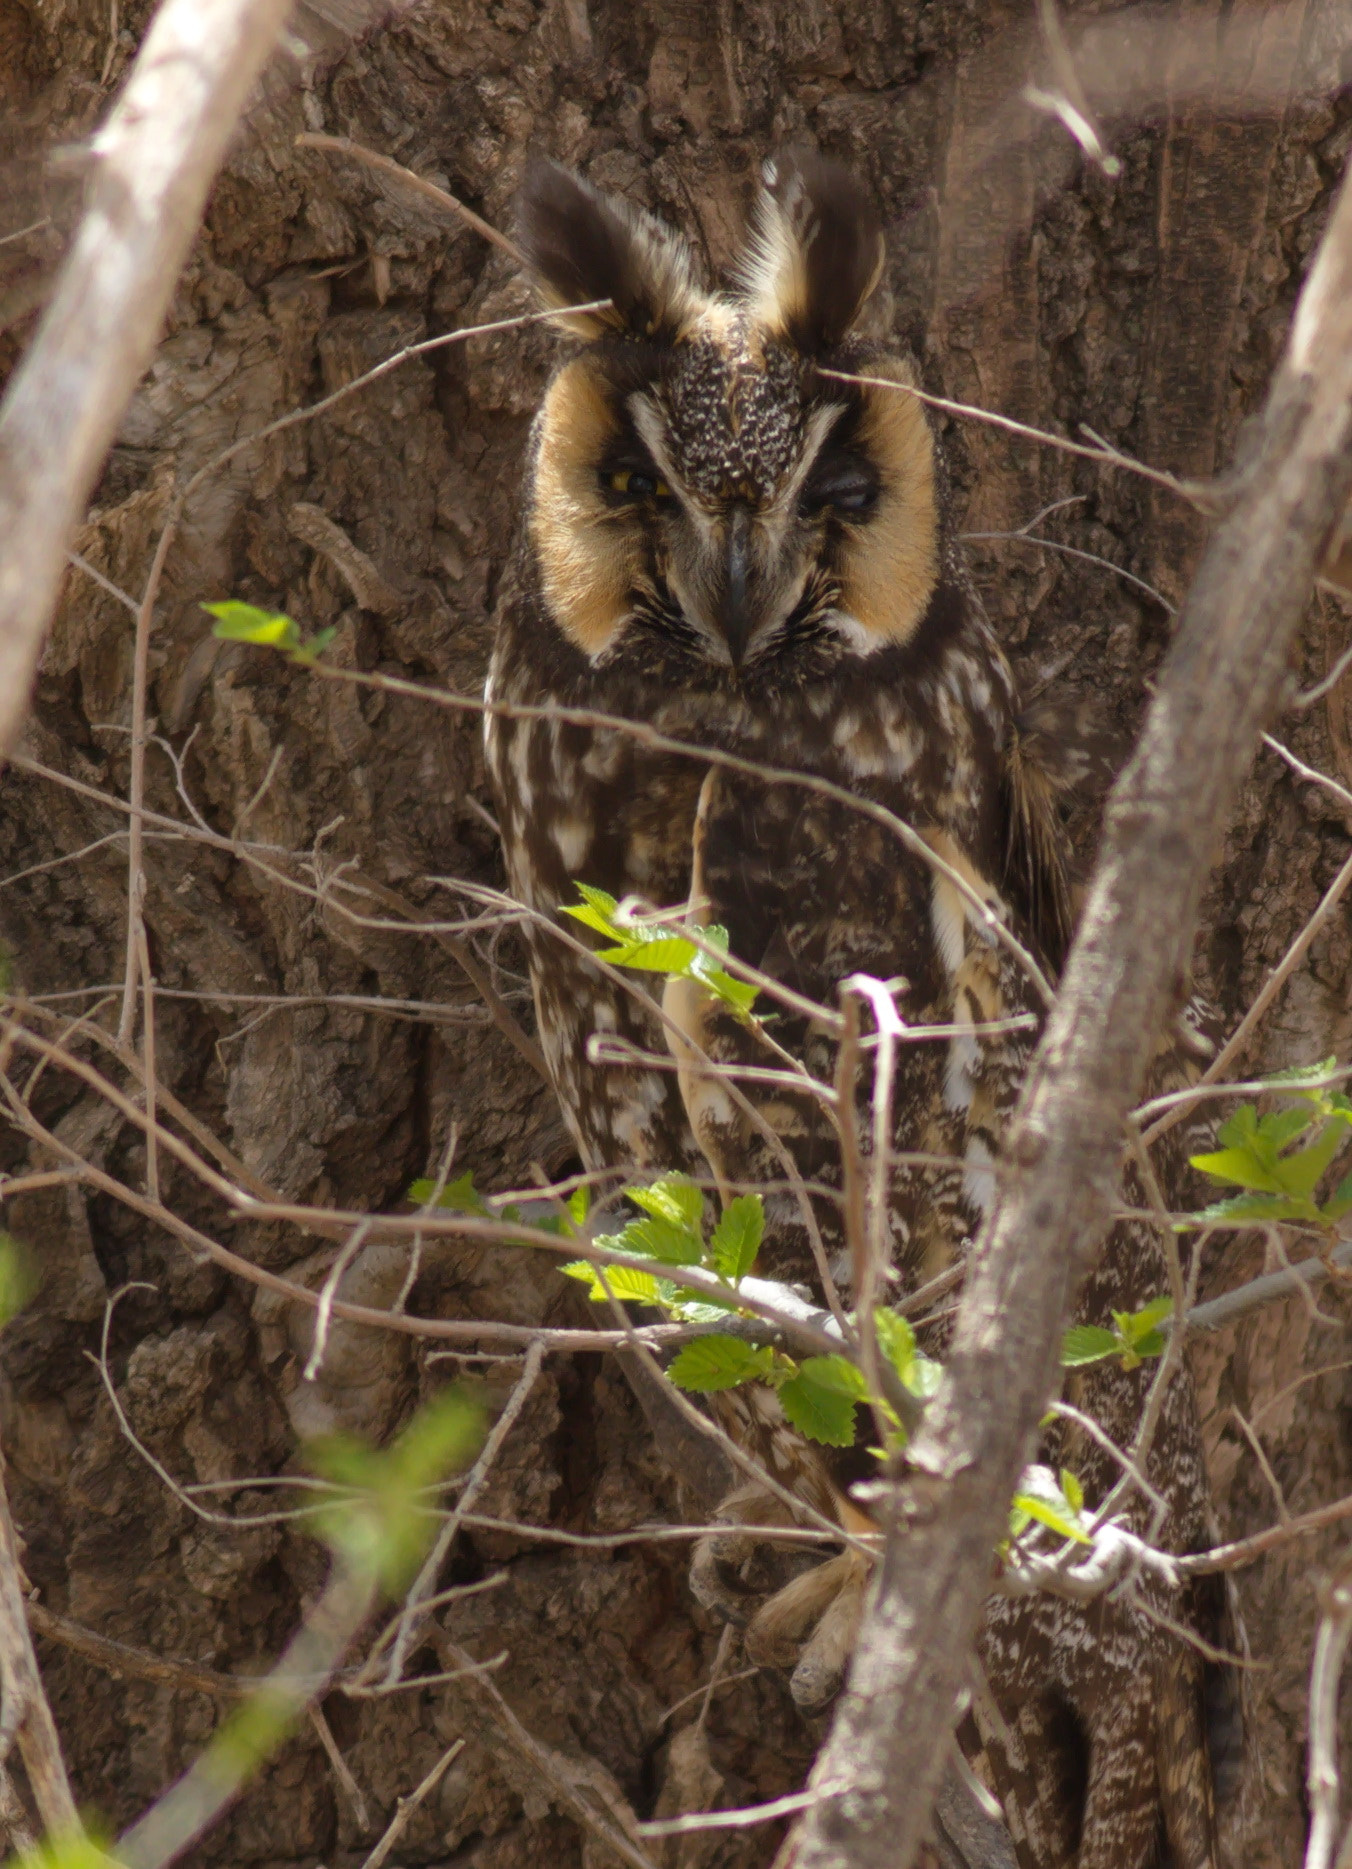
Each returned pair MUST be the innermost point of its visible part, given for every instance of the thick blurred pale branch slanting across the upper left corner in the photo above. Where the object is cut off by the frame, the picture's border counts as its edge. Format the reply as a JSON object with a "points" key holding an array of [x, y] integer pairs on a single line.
{"points": [[154, 162]]}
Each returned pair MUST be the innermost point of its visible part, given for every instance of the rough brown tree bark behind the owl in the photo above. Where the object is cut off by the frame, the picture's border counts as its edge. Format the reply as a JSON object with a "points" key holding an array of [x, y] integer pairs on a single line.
{"points": [[1149, 306]]}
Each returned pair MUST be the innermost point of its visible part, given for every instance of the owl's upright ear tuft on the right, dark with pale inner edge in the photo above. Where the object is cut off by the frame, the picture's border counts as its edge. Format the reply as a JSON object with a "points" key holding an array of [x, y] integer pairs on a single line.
{"points": [[816, 251]]}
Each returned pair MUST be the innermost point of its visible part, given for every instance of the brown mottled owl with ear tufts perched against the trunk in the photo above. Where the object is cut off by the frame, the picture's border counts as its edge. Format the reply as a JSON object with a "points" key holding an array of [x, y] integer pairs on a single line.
{"points": [[738, 537]]}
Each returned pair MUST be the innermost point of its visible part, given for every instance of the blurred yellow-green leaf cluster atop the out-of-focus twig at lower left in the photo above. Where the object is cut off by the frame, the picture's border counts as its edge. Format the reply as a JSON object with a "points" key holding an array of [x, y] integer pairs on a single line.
{"points": [[382, 1526]]}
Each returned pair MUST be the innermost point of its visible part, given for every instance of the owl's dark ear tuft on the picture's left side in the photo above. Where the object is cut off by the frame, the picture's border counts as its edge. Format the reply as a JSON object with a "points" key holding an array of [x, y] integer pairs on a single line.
{"points": [[584, 246]]}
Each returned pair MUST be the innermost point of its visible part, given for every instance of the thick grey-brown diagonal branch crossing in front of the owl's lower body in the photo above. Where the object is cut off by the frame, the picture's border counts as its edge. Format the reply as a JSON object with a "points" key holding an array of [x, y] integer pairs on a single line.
{"points": [[1222, 679]]}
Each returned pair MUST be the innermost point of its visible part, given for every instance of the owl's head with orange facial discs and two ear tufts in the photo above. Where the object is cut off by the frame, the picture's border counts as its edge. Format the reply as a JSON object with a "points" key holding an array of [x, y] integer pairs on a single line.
{"points": [[697, 474]]}
